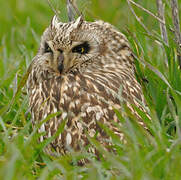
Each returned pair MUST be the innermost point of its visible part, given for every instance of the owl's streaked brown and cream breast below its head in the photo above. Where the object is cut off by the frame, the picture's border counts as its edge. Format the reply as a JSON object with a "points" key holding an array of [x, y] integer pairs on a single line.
{"points": [[84, 99]]}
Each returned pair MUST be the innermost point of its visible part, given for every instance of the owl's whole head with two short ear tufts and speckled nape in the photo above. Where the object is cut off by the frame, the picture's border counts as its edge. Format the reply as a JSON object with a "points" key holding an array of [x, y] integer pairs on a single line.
{"points": [[67, 46]]}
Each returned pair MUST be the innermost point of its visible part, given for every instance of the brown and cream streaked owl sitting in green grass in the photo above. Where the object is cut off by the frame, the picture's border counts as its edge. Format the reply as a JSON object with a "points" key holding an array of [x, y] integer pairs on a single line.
{"points": [[78, 71]]}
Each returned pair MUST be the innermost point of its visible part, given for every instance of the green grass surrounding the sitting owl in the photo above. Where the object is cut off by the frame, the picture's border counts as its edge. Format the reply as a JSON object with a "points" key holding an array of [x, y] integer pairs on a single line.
{"points": [[144, 156]]}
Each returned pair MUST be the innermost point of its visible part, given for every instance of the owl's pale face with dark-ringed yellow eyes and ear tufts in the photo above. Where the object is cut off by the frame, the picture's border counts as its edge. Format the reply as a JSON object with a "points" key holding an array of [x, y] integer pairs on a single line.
{"points": [[65, 46]]}
